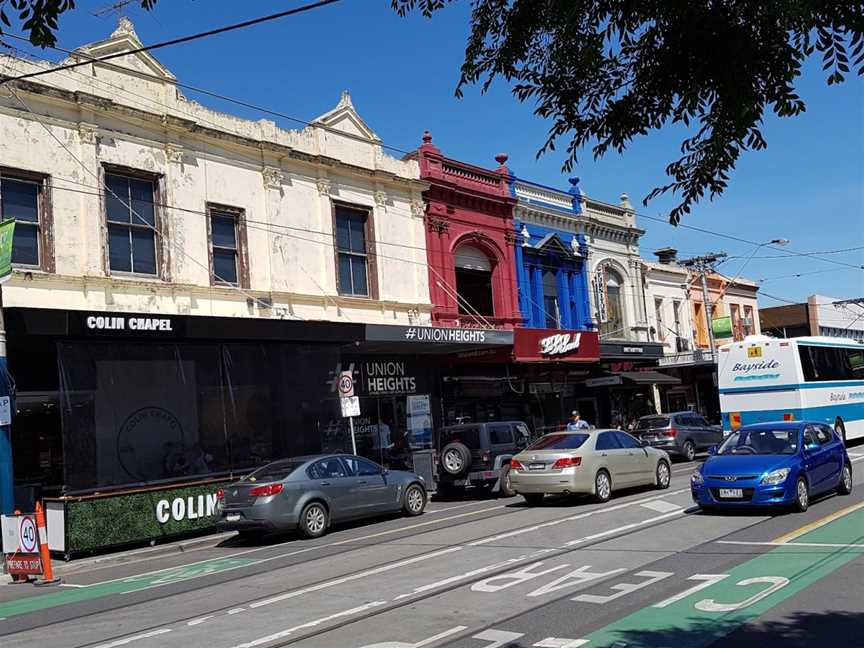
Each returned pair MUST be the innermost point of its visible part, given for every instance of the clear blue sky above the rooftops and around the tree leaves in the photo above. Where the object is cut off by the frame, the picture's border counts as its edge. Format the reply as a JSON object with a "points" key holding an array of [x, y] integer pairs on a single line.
{"points": [[808, 186]]}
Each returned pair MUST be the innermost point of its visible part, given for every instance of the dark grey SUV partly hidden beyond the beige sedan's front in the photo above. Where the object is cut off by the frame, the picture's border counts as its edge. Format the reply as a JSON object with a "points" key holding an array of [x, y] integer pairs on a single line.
{"points": [[680, 433]]}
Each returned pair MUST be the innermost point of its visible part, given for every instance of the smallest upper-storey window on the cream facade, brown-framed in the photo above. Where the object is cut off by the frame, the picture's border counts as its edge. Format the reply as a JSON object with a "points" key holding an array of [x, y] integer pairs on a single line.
{"points": [[227, 246]]}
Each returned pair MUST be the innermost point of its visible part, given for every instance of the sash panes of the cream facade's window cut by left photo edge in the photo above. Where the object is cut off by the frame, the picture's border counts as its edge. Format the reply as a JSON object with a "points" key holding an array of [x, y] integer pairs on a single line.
{"points": [[20, 200]]}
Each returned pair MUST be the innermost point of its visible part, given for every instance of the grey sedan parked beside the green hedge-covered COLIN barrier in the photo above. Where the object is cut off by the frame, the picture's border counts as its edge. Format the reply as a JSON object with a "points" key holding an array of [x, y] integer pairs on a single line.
{"points": [[308, 493]]}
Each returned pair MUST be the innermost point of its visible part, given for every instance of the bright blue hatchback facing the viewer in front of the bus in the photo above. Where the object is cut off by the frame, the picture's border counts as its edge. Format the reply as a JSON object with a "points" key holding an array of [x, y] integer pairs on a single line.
{"points": [[773, 464]]}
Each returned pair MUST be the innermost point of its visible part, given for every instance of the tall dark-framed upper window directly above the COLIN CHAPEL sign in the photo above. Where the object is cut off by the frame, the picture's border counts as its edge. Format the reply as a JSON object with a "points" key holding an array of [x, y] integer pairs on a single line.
{"points": [[131, 216]]}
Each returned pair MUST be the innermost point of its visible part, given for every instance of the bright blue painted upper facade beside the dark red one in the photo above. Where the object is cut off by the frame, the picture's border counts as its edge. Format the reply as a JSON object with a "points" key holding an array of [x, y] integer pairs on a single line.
{"points": [[561, 256]]}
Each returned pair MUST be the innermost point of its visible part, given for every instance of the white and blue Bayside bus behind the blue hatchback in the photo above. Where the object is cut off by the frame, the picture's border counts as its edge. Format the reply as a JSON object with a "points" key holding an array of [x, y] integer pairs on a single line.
{"points": [[809, 378]]}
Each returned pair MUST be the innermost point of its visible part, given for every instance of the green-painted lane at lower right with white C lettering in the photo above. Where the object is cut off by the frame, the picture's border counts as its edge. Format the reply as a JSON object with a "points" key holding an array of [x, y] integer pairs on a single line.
{"points": [[720, 603]]}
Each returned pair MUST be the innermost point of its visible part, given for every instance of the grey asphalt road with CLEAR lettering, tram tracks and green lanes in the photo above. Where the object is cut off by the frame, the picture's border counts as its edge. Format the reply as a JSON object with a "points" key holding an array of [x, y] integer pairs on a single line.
{"points": [[642, 570]]}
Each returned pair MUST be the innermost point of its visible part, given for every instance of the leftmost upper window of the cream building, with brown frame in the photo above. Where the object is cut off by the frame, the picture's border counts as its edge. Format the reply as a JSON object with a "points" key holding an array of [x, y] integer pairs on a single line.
{"points": [[24, 199]]}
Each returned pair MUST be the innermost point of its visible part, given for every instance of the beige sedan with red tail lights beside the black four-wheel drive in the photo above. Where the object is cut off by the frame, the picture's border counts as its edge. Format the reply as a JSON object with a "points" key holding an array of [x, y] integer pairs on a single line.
{"points": [[588, 461]]}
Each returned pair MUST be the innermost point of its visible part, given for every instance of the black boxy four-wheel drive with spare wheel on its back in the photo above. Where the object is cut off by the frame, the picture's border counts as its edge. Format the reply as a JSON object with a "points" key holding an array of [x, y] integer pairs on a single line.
{"points": [[478, 454]]}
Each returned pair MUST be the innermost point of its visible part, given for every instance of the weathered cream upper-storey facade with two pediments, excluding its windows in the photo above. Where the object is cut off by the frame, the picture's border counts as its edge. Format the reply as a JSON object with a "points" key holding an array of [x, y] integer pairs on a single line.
{"points": [[128, 113]]}
